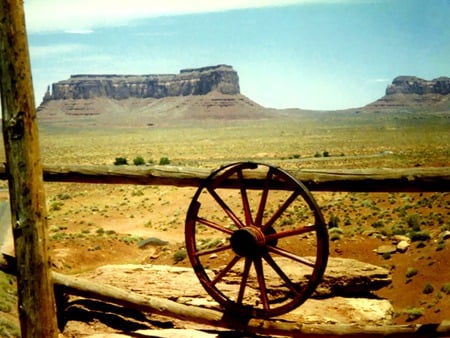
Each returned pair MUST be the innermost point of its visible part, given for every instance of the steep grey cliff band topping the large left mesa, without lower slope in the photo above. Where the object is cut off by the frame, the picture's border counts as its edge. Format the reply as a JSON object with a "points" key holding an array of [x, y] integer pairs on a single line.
{"points": [[221, 78]]}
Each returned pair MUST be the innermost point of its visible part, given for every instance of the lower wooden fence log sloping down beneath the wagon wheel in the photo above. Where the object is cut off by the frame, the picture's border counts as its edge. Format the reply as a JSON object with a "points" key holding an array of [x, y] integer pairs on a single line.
{"points": [[86, 288]]}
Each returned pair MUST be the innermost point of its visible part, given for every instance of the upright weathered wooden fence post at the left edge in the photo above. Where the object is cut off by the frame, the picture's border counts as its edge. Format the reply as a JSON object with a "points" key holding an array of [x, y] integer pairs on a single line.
{"points": [[37, 310]]}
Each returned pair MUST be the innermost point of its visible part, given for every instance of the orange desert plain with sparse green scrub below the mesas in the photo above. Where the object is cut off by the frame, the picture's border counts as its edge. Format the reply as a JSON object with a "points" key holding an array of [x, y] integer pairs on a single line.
{"points": [[90, 225]]}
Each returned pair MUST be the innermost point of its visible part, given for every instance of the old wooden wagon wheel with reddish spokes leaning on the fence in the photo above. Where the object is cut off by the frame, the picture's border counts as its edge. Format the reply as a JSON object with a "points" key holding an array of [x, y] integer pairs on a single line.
{"points": [[267, 234]]}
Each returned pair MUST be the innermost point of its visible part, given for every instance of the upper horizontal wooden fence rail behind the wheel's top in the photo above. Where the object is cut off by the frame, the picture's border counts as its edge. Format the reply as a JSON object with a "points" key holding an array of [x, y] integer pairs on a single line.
{"points": [[353, 180]]}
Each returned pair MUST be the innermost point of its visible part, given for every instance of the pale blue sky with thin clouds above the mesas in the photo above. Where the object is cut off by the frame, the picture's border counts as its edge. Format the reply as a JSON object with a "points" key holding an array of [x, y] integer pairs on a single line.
{"points": [[309, 54]]}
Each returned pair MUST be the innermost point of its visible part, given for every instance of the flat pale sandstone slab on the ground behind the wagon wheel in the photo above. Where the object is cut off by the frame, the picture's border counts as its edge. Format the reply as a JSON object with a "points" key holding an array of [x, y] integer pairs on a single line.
{"points": [[181, 285]]}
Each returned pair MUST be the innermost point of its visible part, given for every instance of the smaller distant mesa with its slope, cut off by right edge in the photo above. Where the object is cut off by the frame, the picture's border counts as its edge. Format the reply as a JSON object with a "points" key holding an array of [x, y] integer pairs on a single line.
{"points": [[414, 94]]}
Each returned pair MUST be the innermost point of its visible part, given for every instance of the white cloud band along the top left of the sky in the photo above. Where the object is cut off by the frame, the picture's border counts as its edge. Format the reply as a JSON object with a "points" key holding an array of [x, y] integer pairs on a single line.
{"points": [[84, 15]]}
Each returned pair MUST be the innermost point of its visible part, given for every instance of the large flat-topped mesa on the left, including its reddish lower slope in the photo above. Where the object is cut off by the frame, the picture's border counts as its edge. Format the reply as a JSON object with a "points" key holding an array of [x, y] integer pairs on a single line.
{"points": [[137, 100]]}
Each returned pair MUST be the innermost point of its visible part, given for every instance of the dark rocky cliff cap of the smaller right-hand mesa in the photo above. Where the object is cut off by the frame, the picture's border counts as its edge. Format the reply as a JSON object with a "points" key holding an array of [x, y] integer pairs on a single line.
{"points": [[415, 85]]}
